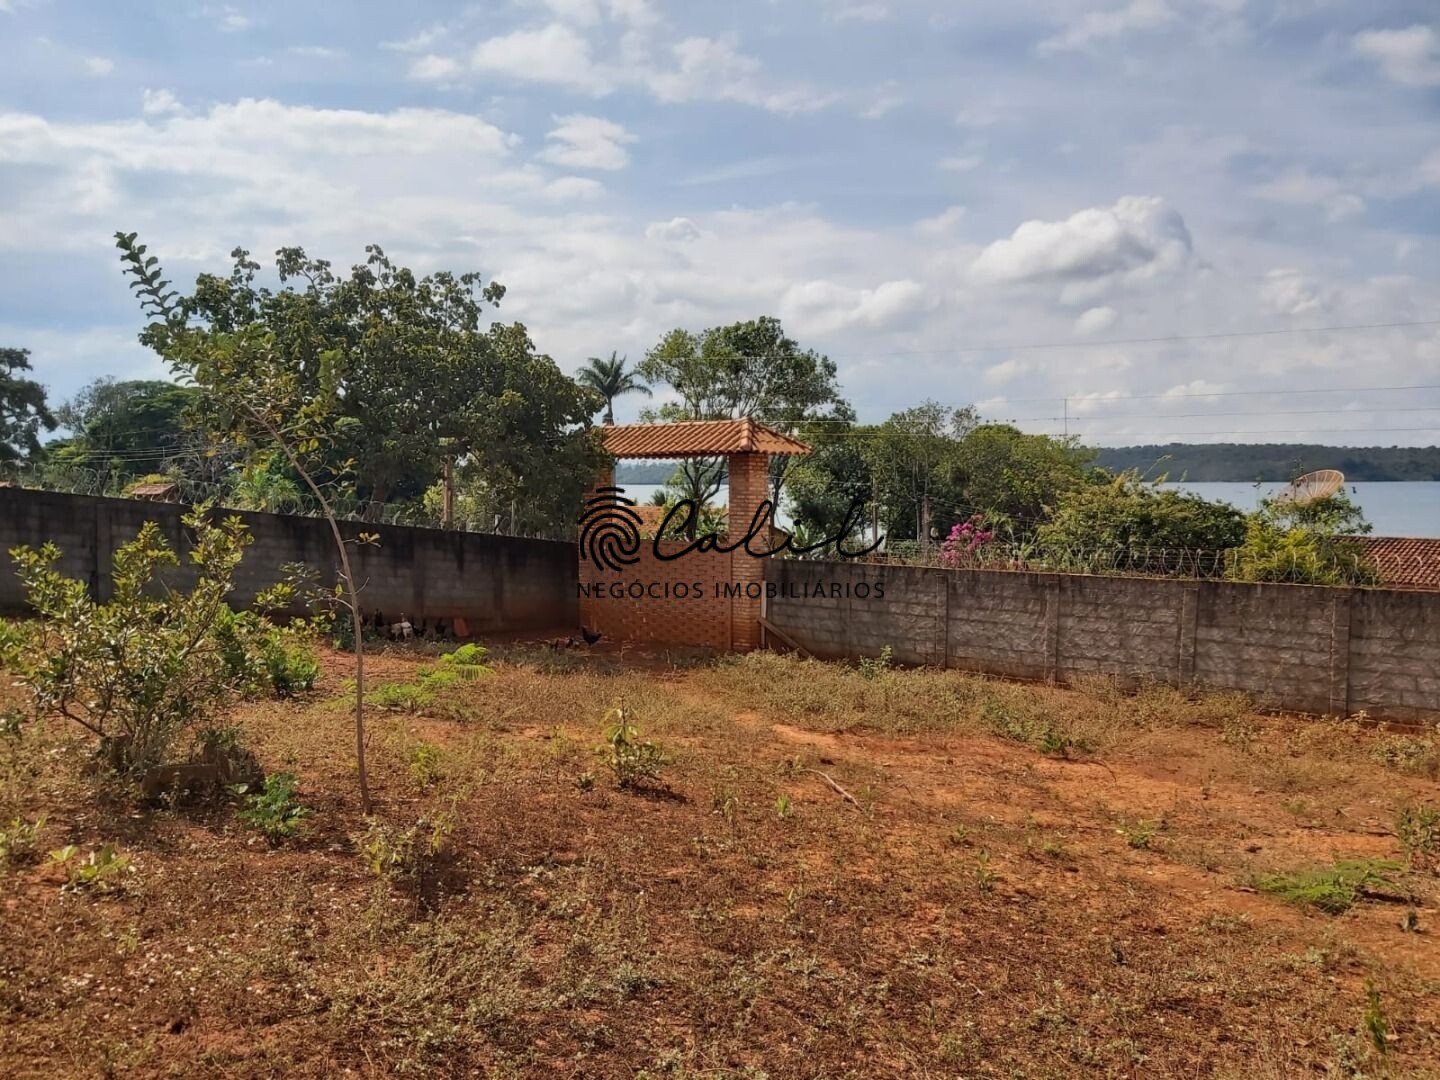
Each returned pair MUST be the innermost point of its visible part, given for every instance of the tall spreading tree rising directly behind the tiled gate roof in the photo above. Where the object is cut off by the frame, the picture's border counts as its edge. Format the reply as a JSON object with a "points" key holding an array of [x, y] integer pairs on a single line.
{"points": [[744, 369]]}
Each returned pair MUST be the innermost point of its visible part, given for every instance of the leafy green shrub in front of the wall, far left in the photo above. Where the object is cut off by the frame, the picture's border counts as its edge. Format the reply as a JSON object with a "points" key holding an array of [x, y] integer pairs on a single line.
{"points": [[148, 666]]}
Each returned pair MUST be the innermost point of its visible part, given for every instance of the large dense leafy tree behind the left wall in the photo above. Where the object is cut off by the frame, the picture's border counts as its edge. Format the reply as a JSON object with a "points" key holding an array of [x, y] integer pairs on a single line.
{"points": [[408, 374]]}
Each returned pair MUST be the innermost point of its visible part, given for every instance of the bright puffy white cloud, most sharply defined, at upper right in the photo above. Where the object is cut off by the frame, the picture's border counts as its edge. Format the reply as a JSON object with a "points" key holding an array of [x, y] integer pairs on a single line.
{"points": [[1138, 240]]}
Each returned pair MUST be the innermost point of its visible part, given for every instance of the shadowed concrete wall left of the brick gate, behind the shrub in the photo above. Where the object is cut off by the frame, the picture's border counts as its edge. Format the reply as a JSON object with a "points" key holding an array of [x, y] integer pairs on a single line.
{"points": [[496, 584]]}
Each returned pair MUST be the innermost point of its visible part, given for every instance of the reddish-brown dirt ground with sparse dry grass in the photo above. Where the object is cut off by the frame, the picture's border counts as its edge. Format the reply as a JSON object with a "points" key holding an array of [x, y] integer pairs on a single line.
{"points": [[840, 873]]}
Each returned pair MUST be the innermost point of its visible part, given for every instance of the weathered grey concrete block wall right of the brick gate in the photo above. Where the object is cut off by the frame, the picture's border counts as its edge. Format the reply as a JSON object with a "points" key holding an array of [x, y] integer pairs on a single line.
{"points": [[1295, 647]]}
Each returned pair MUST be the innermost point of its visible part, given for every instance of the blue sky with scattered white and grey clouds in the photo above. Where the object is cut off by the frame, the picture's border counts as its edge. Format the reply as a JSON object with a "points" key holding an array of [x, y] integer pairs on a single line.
{"points": [[983, 204]]}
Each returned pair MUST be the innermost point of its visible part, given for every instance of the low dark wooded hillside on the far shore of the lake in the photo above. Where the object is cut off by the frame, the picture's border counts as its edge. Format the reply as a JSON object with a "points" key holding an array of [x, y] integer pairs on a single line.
{"points": [[1274, 462]]}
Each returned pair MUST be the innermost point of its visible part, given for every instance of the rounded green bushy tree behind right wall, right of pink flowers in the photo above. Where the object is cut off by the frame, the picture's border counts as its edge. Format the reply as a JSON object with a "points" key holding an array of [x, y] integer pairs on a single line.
{"points": [[1125, 515]]}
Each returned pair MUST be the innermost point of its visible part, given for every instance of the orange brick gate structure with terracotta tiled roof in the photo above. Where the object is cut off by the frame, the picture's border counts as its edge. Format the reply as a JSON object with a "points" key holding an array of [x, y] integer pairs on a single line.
{"points": [[711, 600]]}
